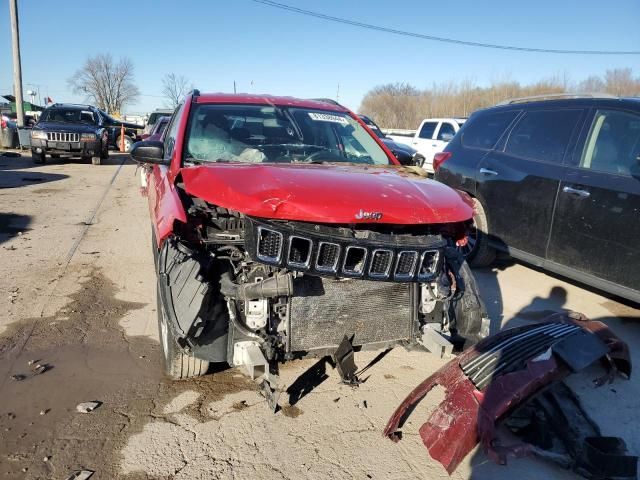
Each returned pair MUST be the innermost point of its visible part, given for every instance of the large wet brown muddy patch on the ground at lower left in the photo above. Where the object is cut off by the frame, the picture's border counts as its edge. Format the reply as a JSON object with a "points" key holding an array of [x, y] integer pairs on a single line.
{"points": [[88, 357]]}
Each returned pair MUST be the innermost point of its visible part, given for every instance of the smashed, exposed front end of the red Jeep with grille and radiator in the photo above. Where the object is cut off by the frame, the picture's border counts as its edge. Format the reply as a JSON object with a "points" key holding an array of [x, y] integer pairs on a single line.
{"points": [[256, 292]]}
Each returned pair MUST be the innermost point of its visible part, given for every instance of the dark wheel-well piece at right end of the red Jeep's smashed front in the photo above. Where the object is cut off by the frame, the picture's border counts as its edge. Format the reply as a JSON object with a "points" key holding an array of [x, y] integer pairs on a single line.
{"points": [[467, 311]]}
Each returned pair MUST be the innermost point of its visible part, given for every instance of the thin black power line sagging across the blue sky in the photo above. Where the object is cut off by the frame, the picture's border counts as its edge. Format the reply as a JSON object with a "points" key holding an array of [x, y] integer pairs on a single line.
{"points": [[438, 39]]}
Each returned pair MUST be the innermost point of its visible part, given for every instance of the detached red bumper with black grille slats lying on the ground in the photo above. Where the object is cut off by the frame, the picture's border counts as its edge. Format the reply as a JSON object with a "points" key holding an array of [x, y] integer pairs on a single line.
{"points": [[501, 373]]}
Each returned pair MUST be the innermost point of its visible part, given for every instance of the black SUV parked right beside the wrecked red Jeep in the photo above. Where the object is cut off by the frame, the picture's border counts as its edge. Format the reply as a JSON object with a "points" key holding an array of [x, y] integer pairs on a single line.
{"points": [[556, 183]]}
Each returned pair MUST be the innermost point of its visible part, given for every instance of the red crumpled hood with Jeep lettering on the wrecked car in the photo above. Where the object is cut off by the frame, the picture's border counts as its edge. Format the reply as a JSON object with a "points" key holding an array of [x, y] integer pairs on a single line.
{"points": [[327, 193]]}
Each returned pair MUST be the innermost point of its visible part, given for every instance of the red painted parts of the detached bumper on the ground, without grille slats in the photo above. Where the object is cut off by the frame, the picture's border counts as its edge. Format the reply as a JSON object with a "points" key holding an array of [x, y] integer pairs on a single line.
{"points": [[468, 415]]}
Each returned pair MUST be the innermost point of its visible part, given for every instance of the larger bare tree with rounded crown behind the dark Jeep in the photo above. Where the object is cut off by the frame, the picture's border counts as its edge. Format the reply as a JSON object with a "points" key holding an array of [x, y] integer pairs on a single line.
{"points": [[108, 84]]}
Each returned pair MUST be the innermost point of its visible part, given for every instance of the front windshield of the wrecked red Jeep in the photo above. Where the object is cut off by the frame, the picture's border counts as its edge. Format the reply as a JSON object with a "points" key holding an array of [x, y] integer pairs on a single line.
{"points": [[270, 134]]}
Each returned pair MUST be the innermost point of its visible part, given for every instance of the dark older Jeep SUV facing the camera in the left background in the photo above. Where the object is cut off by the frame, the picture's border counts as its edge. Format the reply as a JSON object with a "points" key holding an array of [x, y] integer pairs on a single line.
{"points": [[70, 130]]}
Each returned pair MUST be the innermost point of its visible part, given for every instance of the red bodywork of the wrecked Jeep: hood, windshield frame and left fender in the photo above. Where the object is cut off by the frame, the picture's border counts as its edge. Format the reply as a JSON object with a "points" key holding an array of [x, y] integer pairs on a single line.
{"points": [[319, 193]]}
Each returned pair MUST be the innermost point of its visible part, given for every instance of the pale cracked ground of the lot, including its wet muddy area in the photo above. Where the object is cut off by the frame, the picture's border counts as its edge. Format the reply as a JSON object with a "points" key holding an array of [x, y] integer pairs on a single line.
{"points": [[77, 296]]}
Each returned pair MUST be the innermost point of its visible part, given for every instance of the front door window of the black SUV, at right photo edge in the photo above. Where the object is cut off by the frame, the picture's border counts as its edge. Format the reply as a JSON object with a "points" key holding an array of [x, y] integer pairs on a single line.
{"points": [[613, 144]]}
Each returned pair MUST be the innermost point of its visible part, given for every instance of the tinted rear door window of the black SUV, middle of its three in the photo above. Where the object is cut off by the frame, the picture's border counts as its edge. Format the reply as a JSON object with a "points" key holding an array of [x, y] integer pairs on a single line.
{"points": [[543, 135]]}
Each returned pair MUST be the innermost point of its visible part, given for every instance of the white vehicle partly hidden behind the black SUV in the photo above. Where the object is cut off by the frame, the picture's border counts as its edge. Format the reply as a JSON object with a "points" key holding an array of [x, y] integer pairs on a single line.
{"points": [[432, 137]]}
